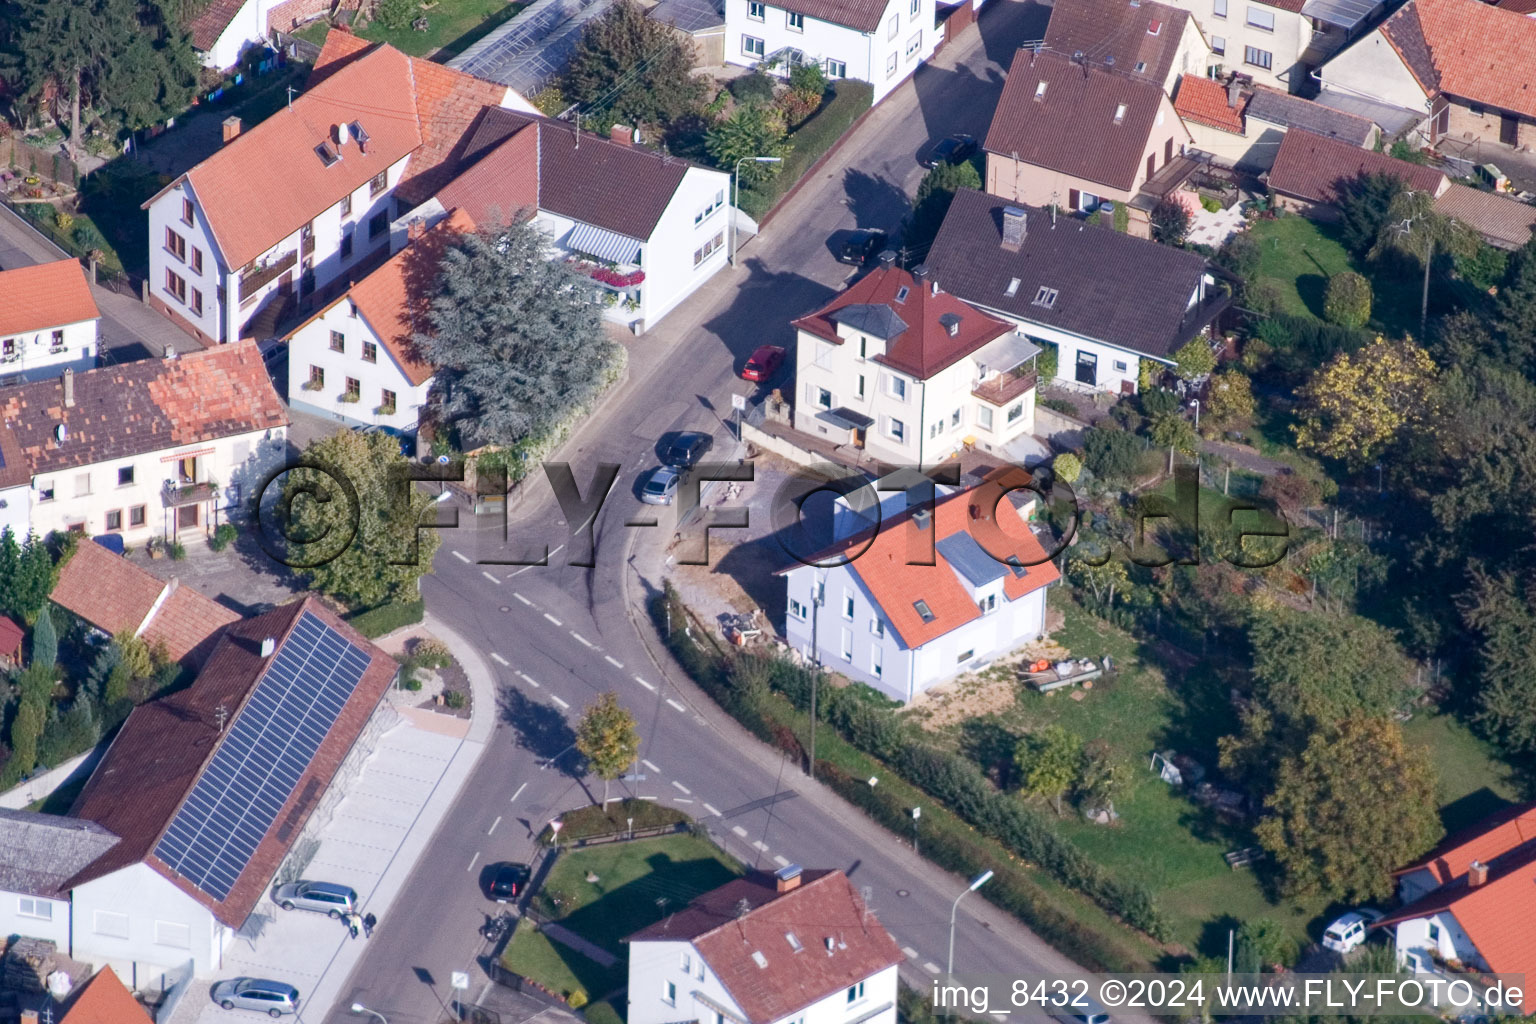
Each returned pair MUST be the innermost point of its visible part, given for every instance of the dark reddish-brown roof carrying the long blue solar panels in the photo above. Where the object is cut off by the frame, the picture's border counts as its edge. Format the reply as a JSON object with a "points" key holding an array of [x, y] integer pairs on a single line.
{"points": [[211, 785]]}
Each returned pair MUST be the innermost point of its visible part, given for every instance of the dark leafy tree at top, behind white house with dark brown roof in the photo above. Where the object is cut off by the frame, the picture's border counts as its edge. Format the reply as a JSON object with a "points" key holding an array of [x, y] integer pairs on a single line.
{"points": [[634, 68]]}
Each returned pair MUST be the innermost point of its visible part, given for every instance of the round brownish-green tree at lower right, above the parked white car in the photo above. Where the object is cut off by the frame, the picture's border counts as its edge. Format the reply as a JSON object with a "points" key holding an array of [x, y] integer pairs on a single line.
{"points": [[1346, 811]]}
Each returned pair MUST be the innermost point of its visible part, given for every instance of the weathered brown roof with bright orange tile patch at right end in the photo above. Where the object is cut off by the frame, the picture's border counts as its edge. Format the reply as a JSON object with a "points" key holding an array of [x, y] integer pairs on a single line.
{"points": [[145, 406]]}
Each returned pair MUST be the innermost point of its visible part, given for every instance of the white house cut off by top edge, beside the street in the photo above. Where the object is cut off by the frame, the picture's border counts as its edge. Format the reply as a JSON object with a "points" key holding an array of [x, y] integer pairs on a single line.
{"points": [[881, 42]]}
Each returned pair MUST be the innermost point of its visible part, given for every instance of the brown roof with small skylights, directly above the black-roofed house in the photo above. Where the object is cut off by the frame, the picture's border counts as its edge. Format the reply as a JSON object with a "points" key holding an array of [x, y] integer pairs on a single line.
{"points": [[1071, 130]]}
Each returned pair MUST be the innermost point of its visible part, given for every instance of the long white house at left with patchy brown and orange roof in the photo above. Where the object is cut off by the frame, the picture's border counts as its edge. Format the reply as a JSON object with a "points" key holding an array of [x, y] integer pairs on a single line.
{"points": [[148, 449]]}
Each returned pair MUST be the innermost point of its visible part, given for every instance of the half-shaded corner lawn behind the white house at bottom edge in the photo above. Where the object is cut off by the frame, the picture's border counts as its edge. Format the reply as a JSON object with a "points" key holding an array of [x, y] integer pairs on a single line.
{"points": [[638, 884]]}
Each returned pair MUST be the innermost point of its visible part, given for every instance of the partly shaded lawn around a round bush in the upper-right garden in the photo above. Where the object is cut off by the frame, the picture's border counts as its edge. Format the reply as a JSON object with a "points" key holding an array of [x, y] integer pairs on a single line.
{"points": [[1300, 256]]}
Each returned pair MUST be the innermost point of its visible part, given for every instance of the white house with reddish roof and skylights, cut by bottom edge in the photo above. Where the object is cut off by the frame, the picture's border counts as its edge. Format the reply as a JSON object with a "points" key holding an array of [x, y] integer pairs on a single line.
{"points": [[792, 948]]}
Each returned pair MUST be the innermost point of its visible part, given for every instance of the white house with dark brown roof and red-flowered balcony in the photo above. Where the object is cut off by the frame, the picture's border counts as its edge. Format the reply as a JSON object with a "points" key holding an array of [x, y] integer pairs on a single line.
{"points": [[647, 228]]}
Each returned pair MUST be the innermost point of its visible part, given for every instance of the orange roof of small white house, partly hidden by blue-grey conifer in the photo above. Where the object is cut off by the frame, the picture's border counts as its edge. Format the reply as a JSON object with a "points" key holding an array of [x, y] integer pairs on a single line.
{"points": [[394, 300]]}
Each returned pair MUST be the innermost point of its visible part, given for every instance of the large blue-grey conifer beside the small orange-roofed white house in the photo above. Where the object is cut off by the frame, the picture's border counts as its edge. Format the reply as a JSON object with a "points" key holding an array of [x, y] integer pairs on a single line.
{"points": [[518, 340]]}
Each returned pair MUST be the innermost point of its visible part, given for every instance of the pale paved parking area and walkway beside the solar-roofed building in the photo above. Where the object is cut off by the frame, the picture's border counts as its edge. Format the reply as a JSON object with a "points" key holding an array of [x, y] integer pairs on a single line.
{"points": [[376, 839]]}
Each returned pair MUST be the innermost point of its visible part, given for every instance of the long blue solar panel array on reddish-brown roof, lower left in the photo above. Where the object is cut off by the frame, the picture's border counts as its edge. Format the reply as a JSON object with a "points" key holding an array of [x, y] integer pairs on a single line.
{"points": [[262, 758]]}
